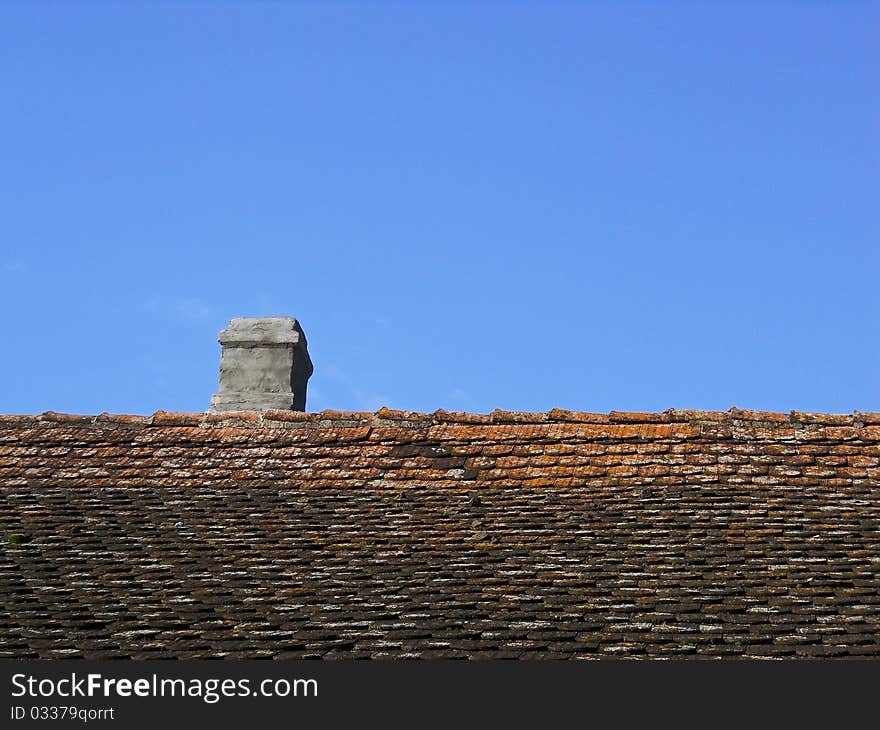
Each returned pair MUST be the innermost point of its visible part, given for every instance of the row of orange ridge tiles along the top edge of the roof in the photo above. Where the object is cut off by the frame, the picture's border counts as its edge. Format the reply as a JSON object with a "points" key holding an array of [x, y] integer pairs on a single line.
{"points": [[413, 419]]}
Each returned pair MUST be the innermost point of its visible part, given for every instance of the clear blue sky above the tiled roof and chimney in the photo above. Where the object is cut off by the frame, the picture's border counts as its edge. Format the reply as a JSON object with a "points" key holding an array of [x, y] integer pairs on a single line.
{"points": [[594, 206]]}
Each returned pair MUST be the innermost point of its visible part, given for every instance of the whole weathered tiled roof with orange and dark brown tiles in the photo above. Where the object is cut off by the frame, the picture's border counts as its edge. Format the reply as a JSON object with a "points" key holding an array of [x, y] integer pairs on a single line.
{"points": [[396, 534]]}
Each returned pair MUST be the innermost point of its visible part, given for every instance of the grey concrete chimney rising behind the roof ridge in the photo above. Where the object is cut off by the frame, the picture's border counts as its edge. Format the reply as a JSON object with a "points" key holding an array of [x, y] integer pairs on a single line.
{"points": [[264, 364]]}
